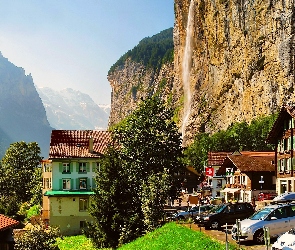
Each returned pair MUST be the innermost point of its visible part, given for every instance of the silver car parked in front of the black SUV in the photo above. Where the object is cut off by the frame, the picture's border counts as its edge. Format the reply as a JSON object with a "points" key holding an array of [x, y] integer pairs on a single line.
{"points": [[279, 218]]}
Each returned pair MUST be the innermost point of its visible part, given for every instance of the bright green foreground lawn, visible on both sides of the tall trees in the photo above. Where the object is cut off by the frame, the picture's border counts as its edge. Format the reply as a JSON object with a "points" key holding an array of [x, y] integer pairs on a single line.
{"points": [[171, 236]]}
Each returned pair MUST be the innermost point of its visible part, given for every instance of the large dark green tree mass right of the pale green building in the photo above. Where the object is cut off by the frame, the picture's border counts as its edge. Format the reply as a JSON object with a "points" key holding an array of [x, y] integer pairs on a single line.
{"points": [[136, 176]]}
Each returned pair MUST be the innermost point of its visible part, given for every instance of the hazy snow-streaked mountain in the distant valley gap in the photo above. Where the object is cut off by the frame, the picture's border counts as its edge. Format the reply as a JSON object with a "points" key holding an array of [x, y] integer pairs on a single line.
{"points": [[72, 109]]}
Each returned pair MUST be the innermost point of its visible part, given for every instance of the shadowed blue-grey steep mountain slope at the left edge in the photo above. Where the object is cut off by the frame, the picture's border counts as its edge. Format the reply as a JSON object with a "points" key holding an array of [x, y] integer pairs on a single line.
{"points": [[22, 114]]}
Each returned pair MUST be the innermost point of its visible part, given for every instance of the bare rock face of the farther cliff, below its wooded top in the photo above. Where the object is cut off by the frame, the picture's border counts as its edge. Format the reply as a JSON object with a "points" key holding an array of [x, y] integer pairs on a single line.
{"points": [[134, 82]]}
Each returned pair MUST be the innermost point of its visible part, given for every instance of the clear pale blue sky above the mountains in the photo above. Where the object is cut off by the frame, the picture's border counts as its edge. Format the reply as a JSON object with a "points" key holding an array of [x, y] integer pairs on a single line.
{"points": [[73, 43]]}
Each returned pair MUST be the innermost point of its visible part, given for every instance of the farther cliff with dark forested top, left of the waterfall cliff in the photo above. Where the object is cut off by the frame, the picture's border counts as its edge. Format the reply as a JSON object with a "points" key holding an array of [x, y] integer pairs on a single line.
{"points": [[137, 75]]}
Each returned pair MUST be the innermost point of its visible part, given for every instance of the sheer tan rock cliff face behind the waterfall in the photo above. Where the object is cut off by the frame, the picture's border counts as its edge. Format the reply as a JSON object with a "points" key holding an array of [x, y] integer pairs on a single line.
{"points": [[242, 63]]}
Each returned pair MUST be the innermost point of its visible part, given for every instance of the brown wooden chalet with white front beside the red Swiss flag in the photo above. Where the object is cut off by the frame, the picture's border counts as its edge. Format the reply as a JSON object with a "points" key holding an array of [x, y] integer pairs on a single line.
{"points": [[248, 174]]}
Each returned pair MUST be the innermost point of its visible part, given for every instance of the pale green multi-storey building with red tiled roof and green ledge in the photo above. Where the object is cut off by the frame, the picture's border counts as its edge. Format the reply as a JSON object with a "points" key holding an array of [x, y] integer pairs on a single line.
{"points": [[69, 177]]}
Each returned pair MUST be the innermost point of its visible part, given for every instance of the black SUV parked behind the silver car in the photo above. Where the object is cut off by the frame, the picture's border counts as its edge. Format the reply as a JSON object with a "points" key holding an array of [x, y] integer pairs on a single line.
{"points": [[225, 213]]}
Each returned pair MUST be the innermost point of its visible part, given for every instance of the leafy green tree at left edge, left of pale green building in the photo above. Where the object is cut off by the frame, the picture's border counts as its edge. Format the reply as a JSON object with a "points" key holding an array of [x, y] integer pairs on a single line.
{"points": [[20, 176]]}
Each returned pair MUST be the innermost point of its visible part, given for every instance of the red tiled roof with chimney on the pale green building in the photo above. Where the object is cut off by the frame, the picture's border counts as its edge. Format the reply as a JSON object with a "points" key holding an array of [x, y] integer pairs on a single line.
{"points": [[77, 143]]}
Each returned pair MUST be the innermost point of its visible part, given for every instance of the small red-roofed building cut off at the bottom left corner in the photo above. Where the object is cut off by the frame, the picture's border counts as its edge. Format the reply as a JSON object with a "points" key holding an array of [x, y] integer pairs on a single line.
{"points": [[6, 228]]}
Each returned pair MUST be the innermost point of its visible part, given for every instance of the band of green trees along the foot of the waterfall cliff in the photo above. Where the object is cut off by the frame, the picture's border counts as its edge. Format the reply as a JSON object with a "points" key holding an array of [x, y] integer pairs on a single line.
{"points": [[237, 137]]}
